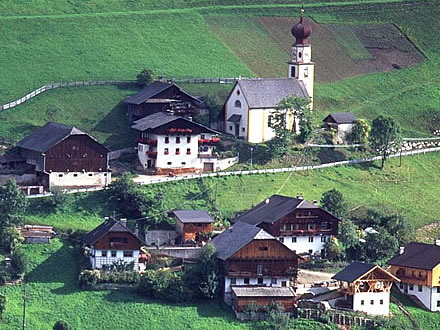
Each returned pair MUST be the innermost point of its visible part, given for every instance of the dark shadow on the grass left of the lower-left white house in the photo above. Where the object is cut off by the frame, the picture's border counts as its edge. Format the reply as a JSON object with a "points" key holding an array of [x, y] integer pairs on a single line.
{"points": [[59, 267]]}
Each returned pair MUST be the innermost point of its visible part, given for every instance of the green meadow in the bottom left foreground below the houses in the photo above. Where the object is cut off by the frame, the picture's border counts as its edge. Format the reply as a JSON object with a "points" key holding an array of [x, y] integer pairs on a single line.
{"points": [[54, 294]]}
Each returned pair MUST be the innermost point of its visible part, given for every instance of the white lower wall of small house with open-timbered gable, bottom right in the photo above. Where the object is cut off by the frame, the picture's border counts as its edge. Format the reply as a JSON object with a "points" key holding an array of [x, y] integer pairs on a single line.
{"points": [[372, 302]]}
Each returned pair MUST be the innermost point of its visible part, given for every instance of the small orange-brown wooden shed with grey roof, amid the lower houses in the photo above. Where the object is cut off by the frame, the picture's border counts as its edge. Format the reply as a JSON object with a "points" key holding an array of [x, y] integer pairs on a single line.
{"points": [[193, 225]]}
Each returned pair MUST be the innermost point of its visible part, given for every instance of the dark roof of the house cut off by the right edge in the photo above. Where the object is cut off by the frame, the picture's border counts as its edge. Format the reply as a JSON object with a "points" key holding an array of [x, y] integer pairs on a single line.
{"points": [[418, 255]]}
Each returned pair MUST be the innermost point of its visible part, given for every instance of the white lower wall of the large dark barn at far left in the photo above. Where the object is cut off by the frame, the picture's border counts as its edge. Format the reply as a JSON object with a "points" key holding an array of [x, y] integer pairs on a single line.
{"points": [[79, 179]]}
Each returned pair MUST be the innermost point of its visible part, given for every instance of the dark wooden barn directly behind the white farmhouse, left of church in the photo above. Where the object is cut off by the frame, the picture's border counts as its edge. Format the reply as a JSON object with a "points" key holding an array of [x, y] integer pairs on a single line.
{"points": [[161, 96]]}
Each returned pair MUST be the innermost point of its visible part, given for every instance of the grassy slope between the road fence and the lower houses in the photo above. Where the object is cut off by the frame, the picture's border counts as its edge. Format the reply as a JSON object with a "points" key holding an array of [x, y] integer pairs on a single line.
{"points": [[410, 190]]}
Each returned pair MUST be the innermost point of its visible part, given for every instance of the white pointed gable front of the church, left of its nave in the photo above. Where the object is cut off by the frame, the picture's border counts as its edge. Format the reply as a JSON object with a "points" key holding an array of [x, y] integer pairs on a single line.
{"points": [[231, 109]]}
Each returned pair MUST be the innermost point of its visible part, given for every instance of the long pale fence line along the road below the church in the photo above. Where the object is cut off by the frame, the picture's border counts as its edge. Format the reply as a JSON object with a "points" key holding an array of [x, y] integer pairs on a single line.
{"points": [[262, 171]]}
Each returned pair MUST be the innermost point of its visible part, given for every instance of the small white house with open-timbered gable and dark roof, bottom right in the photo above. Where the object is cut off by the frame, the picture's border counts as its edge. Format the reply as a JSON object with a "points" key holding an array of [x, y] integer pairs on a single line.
{"points": [[364, 288]]}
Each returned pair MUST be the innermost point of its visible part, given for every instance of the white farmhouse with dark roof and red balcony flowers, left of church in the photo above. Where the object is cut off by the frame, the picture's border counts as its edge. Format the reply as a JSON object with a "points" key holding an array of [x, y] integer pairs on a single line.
{"points": [[173, 144]]}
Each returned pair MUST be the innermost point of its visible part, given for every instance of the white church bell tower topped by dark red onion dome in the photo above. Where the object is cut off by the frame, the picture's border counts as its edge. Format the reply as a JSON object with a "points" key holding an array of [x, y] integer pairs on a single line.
{"points": [[301, 66]]}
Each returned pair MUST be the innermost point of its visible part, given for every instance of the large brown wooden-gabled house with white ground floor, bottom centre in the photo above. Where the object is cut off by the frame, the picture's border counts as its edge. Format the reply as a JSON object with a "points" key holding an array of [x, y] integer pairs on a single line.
{"points": [[251, 257]]}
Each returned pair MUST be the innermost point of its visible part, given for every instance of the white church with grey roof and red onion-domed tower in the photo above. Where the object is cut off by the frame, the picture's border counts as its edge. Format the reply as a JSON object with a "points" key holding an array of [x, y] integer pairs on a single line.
{"points": [[249, 105]]}
